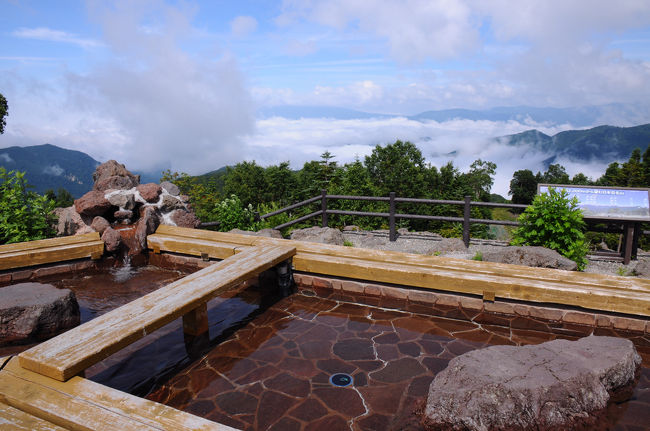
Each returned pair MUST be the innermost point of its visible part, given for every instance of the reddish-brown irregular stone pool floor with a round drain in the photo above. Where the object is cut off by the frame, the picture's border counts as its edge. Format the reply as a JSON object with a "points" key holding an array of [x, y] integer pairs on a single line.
{"points": [[274, 373]]}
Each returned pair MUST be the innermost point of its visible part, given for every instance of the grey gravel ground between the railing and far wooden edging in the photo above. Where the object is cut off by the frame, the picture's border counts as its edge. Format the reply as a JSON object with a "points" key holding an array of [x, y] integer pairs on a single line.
{"points": [[427, 243]]}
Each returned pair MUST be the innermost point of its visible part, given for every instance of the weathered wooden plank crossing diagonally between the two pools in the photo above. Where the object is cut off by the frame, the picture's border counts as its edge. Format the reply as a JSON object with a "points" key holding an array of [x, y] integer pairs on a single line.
{"points": [[75, 350]]}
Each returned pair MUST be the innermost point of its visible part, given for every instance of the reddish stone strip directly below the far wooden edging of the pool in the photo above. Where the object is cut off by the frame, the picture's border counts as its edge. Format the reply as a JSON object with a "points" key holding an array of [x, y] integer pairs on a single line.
{"points": [[522, 318]]}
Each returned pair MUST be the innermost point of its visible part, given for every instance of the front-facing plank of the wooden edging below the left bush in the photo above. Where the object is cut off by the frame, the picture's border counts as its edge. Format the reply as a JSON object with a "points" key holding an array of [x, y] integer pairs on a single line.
{"points": [[39, 256]]}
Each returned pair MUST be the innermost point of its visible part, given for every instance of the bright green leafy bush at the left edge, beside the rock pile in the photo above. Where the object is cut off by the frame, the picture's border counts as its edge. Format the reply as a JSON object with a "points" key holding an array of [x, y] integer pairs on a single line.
{"points": [[24, 215]]}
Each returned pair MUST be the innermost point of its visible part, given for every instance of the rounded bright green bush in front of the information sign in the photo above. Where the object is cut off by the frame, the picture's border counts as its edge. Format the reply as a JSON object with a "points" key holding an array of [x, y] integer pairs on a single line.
{"points": [[554, 221]]}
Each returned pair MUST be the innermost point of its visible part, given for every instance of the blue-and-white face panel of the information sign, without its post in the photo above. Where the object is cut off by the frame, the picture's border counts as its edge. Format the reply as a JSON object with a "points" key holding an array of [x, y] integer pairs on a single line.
{"points": [[608, 202]]}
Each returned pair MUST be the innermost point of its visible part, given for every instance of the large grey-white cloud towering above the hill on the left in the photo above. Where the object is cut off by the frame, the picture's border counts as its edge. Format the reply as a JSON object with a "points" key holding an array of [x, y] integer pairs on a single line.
{"points": [[151, 105]]}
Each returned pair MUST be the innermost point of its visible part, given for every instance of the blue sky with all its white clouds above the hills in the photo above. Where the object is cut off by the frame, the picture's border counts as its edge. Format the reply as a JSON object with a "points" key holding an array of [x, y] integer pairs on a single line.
{"points": [[158, 84]]}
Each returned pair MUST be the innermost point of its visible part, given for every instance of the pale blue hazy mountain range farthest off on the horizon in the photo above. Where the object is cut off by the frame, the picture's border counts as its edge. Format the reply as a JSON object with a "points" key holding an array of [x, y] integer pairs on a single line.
{"points": [[577, 117]]}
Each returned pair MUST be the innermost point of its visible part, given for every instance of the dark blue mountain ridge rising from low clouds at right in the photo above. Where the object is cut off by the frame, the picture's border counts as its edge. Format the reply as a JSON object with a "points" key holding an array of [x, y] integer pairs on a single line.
{"points": [[598, 143]]}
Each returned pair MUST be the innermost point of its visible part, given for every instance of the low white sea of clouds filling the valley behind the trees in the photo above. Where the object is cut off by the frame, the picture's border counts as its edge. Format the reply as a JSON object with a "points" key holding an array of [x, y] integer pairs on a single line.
{"points": [[280, 139]]}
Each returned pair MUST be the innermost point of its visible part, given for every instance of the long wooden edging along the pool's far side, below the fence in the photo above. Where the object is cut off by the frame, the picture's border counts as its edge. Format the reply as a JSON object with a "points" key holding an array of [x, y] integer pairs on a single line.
{"points": [[485, 279]]}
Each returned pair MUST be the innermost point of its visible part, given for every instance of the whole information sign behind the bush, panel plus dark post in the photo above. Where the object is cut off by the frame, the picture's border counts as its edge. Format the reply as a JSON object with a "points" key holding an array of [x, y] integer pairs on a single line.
{"points": [[629, 206]]}
